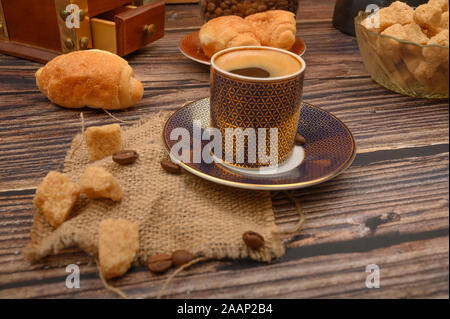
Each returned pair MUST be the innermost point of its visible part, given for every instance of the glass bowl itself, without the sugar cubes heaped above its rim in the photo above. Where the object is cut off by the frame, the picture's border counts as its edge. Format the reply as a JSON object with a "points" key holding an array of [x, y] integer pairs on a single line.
{"points": [[400, 65]]}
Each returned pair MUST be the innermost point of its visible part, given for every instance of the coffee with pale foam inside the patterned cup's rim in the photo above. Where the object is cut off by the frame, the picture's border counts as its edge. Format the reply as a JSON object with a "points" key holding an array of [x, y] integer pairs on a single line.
{"points": [[258, 63]]}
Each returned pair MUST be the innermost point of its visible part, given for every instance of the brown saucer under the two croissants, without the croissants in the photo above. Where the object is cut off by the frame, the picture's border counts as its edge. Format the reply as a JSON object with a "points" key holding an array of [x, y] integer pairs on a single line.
{"points": [[191, 48]]}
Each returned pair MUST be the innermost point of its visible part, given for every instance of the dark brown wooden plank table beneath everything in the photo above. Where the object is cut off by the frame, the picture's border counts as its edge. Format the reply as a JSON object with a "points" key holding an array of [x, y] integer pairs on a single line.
{"points": [[390, 208]]}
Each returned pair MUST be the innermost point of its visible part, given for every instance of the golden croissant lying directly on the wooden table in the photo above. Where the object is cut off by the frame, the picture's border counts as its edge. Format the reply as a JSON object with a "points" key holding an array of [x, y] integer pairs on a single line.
{"points": [[92, 78]]}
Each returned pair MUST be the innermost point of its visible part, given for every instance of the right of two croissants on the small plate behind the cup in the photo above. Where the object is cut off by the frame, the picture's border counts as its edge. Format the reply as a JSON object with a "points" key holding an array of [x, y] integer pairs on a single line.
{"points": [[274, 28]]}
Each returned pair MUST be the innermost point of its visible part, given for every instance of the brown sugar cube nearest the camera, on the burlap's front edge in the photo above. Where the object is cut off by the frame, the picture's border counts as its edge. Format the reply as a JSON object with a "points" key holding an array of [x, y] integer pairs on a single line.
{"points": [[118, 245]]}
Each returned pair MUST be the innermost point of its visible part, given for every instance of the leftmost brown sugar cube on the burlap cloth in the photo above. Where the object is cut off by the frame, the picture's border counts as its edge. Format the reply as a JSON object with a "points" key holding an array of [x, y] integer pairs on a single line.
{"points": [[55, 197]]}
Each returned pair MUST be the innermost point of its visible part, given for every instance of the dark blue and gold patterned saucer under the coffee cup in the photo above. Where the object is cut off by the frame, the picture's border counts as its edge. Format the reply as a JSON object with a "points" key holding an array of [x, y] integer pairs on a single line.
{"points": [[330, 148]]}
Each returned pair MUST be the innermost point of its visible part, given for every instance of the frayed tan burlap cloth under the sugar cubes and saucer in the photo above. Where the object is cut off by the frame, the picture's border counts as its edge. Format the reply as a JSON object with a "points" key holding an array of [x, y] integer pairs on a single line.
{"points": [[172, 211]]}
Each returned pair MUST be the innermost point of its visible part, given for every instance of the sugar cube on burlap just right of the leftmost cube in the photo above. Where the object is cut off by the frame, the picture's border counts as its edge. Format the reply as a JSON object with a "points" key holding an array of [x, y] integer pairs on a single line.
{"points": [[97, 182]]}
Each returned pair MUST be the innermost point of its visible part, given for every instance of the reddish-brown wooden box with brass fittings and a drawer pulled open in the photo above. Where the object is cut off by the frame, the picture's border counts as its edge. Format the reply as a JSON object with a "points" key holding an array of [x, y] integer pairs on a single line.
{"points": [[42, 29]]}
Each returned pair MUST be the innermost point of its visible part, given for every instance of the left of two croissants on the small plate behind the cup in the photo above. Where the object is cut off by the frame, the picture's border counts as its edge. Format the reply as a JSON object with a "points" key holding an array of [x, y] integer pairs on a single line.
{"points": [[226, 32]]}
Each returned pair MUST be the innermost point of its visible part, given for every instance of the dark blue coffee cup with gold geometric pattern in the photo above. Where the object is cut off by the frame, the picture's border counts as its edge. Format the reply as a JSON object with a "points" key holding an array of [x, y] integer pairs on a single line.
{"points": [[267, 105]]}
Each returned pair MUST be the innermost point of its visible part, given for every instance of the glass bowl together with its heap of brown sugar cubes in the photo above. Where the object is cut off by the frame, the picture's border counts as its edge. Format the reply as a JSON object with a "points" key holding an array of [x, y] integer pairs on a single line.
{"points": [[406, 49]]}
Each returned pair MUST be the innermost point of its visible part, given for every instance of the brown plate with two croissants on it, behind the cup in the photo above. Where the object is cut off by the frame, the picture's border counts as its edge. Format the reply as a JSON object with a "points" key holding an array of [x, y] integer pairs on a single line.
{"points": [[274, 28]]}
